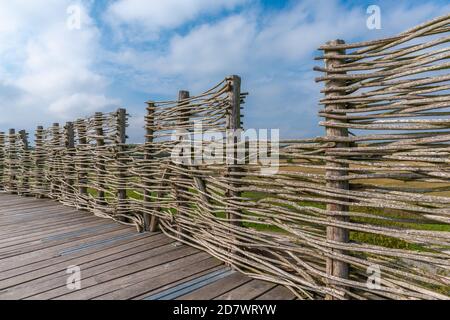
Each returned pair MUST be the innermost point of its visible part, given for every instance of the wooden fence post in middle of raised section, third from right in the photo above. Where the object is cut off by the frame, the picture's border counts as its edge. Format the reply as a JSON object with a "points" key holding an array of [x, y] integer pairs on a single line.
{"points": [[182, 120]]}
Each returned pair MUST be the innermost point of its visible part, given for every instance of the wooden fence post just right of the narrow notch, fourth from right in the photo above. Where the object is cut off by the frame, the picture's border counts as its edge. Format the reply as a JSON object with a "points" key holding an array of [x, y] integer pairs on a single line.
{"points": [[150, 222]]}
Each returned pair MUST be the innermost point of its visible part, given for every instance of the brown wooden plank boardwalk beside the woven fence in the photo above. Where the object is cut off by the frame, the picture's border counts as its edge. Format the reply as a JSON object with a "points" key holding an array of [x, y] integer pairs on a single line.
{"points": [[40, 239]]}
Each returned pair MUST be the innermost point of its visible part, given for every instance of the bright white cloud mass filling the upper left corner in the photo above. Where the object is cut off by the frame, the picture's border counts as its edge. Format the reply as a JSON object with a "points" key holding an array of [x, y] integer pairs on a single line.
{"points": [[48, 71]]}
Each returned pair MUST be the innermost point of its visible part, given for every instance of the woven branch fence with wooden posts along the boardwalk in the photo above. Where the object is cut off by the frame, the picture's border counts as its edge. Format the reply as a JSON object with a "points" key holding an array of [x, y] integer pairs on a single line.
{"points": [[341, 209]]}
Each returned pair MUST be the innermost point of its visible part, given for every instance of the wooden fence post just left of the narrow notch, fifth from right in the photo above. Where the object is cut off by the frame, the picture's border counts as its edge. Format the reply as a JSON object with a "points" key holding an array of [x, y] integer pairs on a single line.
{"points": [[122, 170]]}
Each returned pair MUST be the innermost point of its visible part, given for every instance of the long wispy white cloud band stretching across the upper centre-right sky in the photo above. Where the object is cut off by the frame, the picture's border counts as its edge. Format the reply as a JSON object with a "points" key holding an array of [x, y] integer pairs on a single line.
{"points": [[245, 43]]}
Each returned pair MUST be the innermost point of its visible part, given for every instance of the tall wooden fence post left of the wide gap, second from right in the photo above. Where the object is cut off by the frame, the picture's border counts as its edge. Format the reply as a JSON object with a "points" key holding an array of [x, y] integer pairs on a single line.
{"points": [[233, 123]]}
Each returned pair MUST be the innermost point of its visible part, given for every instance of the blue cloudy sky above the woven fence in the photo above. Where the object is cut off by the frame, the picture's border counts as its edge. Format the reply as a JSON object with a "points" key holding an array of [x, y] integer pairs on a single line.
{"points": [[126, 52]]}
